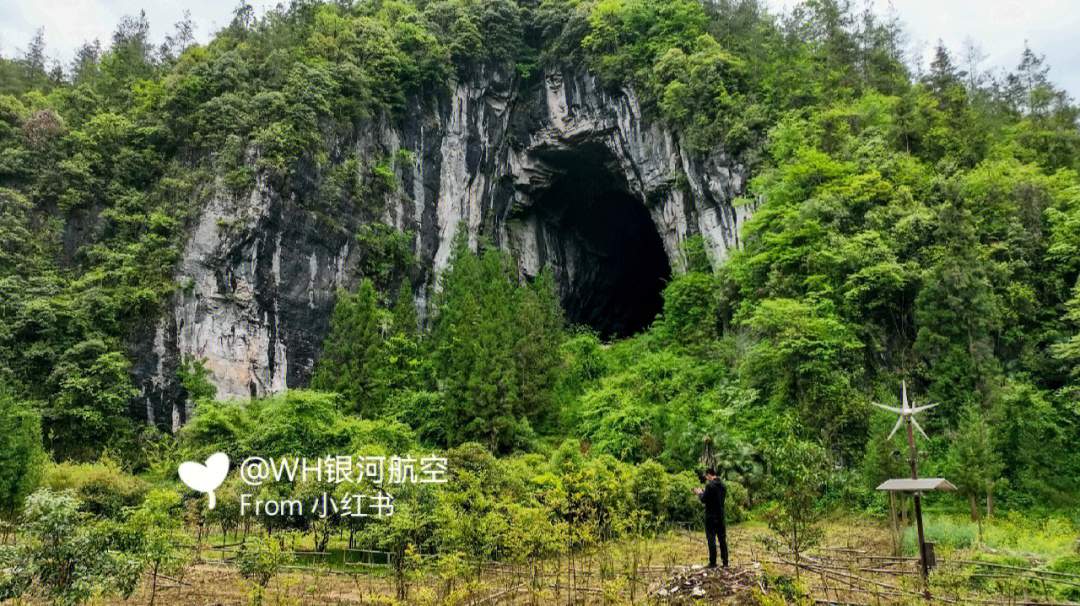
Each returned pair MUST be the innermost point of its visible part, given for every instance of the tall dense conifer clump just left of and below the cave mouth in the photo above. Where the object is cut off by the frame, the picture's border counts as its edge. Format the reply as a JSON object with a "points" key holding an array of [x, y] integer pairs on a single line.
{"points": [[495, 347]]}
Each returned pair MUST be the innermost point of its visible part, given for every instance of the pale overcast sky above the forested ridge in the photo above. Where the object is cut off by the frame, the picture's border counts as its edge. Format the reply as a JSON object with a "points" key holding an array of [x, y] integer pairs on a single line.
{"points": [[998, 28]]}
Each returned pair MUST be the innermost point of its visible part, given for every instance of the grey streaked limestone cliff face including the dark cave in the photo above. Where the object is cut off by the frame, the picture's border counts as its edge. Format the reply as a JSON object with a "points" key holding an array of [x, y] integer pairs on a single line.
{"points": [[565, 174]]}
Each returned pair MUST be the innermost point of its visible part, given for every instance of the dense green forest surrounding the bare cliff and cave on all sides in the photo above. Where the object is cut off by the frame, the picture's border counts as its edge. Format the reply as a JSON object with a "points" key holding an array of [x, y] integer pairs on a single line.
{"points": [[910, 224]]}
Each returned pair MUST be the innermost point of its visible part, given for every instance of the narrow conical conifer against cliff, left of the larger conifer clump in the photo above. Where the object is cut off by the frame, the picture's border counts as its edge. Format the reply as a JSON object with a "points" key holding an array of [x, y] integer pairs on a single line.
{"points": [[353, 356]]}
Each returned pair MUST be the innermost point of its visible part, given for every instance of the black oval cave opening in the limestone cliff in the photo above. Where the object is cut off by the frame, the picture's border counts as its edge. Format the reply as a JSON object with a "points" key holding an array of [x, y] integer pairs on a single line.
{"points": [[614, 263]]}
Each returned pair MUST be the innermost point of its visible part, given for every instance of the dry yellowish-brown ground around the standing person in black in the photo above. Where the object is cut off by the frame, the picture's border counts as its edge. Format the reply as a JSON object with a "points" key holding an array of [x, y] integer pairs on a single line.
{"points": [[856, 565]]}
